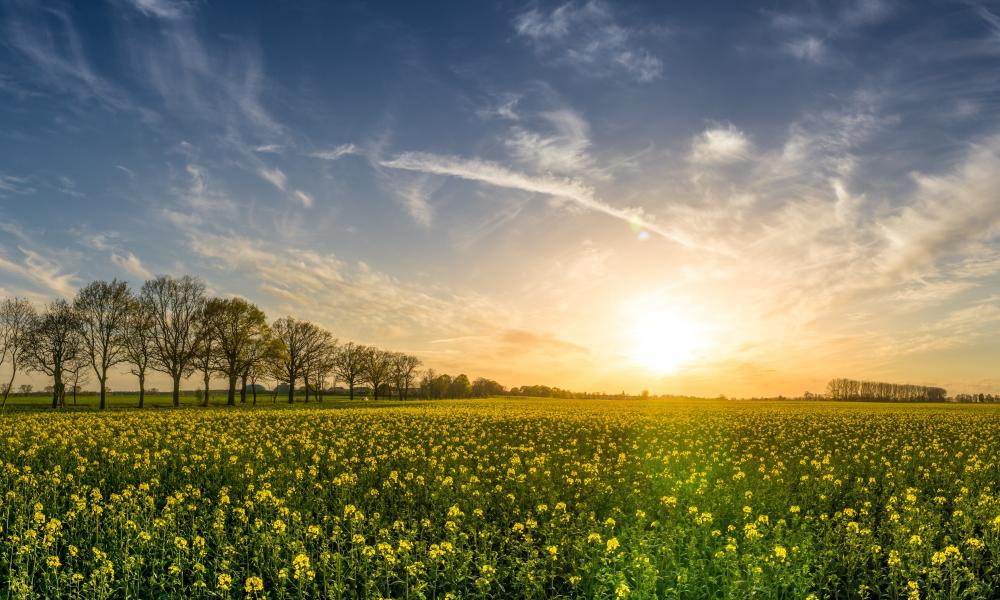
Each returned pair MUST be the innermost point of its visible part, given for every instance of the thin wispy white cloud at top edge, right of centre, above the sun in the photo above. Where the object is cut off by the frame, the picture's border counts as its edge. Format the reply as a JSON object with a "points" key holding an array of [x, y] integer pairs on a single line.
{"points": [[588, 37]]}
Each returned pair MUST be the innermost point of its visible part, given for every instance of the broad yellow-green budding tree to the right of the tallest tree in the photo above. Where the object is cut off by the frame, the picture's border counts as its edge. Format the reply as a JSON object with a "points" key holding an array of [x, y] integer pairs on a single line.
{"points": [[237, 326]]}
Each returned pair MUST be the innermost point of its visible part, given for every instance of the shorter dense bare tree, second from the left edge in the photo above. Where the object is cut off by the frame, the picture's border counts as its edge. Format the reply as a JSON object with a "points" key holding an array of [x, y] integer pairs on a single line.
{"points": [[54, 343]]}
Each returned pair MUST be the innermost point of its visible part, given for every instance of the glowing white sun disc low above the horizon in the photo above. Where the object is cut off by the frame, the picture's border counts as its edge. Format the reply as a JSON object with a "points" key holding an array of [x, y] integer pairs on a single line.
{"points": [[662, 341]]}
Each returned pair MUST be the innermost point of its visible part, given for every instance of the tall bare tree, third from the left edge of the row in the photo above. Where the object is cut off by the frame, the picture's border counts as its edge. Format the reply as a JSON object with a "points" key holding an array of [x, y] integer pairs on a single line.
{"points": [[102, 308]]}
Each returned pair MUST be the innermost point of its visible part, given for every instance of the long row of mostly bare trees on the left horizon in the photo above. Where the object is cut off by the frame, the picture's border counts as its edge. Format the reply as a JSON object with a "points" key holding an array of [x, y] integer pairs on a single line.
{"points": [[170, 325]]}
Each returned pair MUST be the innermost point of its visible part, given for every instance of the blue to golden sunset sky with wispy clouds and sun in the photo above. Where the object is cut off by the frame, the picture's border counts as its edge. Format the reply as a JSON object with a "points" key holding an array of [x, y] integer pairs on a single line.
{"points": [[693, 198]]}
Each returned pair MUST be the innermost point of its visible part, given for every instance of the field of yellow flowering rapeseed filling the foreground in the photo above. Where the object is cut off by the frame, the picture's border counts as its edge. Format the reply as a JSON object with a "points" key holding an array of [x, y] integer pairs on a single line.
{"points": [[503, 498]]}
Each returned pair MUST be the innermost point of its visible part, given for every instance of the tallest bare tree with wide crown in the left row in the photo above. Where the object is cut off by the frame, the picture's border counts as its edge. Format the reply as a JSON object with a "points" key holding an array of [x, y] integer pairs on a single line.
{"points": [[175, 305]]}
